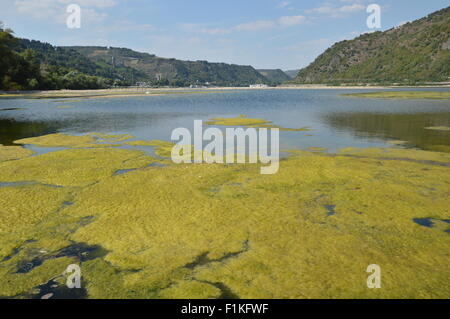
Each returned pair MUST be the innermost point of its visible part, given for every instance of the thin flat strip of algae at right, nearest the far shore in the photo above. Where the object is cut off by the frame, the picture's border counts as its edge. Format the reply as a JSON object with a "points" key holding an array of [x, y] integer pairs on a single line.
{"points": [[433, 95]]}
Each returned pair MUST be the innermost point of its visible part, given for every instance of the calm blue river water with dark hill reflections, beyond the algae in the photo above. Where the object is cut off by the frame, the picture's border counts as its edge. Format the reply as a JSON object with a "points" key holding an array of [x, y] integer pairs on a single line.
{"points": [[337, 121]]}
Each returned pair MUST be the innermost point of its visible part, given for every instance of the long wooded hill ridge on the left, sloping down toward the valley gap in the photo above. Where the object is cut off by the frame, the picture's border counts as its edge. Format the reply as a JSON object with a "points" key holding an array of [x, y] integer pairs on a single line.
{"points": [[29, 65]]}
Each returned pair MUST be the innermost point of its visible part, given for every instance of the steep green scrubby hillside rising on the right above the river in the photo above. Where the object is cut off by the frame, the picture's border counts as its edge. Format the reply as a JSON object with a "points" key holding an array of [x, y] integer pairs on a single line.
{"points": [[415, 52]]}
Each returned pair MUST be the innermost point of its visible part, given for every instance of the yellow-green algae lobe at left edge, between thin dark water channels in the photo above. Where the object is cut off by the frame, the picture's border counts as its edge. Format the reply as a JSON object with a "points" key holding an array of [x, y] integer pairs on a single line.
{"points": [[72, 167]]}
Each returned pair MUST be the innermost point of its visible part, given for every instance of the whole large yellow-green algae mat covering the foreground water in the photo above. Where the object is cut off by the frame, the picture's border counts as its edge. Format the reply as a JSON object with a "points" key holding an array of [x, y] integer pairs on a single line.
{"points": [[222, 231]]}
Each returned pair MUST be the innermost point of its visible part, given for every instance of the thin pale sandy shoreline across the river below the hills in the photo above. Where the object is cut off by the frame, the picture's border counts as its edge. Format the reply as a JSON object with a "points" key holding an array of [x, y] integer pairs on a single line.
{"points": [[126, 92]]}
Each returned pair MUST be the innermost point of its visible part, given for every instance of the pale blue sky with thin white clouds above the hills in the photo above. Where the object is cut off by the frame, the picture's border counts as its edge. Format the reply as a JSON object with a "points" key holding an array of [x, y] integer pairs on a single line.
{"points": [[267, 34]]}
